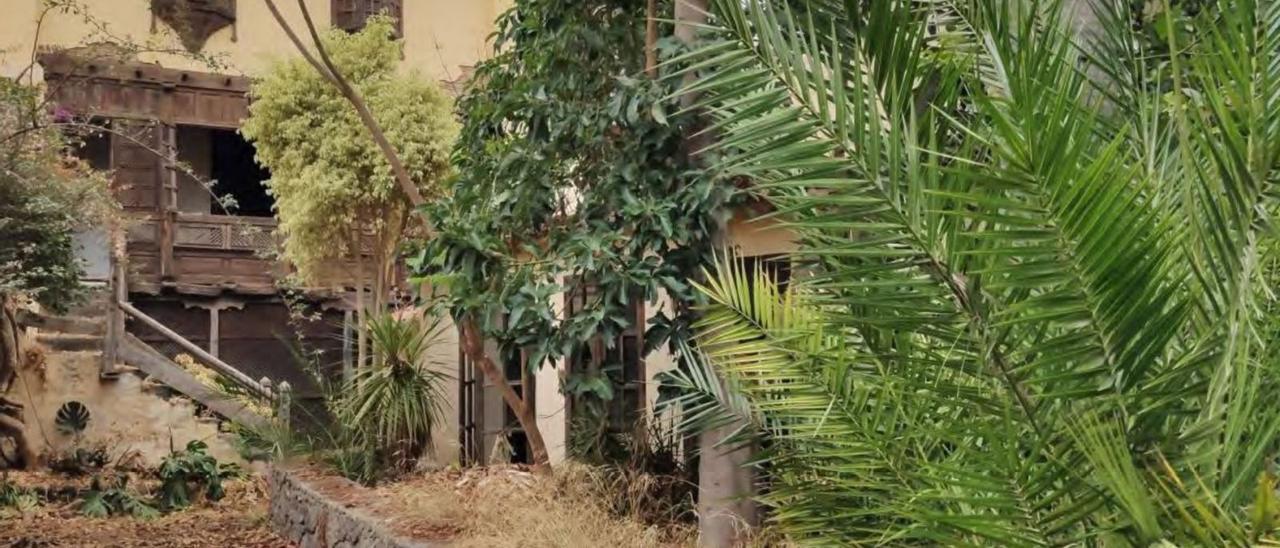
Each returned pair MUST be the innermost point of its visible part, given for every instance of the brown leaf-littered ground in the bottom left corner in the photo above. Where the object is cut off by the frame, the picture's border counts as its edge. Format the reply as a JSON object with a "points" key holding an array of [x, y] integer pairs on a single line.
{"points": [[239, 520]]}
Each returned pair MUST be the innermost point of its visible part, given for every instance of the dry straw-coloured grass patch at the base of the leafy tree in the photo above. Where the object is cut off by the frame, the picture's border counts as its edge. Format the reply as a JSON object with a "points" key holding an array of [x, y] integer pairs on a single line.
{"points": [[511, 508]]}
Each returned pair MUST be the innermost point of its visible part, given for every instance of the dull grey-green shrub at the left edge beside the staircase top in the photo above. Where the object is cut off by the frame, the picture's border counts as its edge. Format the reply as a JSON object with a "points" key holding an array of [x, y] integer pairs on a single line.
{"points": [[45, 197]]}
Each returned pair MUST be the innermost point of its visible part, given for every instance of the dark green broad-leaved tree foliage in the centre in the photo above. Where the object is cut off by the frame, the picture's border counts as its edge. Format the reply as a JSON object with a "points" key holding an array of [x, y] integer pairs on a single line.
{"points": [[572, 171]]}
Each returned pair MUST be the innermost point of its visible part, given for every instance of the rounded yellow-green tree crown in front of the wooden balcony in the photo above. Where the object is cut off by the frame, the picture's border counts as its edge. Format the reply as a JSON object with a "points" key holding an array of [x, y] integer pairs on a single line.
{"points": [[328, 177]]}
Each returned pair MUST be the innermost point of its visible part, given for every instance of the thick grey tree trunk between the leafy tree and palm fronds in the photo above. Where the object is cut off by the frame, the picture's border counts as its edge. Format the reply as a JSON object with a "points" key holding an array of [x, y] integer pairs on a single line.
{"points": [[726, 482]]}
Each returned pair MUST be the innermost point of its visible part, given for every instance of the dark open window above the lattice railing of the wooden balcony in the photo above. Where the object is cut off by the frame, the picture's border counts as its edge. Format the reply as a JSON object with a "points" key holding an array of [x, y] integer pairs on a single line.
{"points": [[226, 159]]}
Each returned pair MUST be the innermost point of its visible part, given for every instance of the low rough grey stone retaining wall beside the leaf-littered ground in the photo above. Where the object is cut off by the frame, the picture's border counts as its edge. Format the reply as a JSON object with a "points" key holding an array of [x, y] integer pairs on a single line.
{"points": [[303, 514]]}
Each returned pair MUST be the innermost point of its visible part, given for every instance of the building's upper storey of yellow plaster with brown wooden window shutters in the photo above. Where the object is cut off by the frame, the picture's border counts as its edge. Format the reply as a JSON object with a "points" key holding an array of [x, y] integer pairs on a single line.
{"points": [[442, 38]]}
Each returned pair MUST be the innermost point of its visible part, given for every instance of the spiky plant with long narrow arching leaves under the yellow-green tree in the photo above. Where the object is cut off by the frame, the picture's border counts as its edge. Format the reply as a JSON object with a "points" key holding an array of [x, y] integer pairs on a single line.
{"points": [[388, 412]]}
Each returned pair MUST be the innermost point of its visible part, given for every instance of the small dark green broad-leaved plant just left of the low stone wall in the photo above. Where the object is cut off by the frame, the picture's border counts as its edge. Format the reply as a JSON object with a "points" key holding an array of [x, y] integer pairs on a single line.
{"points": [[189, 472]]}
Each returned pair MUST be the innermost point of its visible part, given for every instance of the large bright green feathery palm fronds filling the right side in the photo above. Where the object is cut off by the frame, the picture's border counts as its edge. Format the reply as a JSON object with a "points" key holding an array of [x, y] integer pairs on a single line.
{"points": [[1037, 264]]}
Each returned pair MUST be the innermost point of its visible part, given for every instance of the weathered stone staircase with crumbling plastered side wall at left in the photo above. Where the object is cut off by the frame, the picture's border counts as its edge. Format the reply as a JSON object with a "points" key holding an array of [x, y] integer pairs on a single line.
{"points": [[139, 394]]}
